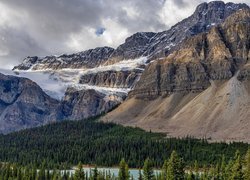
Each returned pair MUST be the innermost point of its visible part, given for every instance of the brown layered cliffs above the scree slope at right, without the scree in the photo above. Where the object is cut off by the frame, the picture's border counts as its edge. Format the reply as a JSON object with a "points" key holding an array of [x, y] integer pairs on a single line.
{"points": [[216, 55]]}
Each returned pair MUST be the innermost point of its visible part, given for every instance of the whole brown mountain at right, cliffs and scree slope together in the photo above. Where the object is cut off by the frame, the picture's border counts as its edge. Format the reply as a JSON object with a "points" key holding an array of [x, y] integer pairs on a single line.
{"points": [[200, 90]]}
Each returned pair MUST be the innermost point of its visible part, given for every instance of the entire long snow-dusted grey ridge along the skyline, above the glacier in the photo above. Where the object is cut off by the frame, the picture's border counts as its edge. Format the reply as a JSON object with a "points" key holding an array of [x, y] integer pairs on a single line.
{"points": [[141, 44]]}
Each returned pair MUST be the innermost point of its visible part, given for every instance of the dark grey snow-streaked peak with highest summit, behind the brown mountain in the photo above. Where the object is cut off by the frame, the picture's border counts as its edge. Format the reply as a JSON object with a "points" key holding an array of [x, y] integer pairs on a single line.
{"points": [[161, 44]]}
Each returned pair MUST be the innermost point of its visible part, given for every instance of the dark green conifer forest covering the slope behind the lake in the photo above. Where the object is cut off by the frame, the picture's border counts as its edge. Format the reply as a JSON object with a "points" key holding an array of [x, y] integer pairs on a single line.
{"points": [[65, 144]]}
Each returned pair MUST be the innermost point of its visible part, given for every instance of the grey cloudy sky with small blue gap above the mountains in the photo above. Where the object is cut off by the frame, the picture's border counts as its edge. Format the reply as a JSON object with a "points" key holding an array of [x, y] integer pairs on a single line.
{"points": [[45, 27]]}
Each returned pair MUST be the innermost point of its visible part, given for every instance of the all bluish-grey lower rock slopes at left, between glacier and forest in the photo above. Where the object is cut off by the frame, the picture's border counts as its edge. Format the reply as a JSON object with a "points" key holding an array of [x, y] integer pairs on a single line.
{"points": [[23, 104]]}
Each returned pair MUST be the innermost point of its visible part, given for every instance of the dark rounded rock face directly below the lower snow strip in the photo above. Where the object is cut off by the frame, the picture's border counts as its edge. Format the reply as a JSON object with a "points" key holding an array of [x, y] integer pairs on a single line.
{"points": [[83, 104]]}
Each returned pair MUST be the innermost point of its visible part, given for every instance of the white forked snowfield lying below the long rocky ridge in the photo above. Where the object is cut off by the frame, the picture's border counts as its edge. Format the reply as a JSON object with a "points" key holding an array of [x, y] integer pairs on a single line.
{"points": [[56, 82]]}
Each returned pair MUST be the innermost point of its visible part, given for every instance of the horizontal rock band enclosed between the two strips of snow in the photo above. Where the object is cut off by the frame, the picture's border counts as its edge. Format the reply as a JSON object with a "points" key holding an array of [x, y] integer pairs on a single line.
{"points": [[113, 79]]}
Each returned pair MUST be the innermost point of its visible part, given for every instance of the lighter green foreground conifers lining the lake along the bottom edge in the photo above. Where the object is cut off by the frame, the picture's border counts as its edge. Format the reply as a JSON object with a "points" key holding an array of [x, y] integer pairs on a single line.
{"points": [[174, 168]]}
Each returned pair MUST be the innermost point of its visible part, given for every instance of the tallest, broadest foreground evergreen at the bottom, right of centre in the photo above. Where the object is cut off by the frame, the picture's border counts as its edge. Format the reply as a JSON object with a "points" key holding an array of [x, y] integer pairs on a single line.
{"points": [[175, 167]]}
